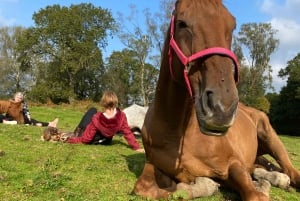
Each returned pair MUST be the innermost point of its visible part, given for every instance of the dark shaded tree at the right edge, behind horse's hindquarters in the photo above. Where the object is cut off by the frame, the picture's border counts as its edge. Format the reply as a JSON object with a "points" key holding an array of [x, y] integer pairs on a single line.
{"points": [[285, 113]]}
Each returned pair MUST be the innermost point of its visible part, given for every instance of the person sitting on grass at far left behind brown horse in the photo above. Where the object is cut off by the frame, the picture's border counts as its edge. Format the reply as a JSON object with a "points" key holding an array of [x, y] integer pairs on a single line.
{"points": [[19, 97]]}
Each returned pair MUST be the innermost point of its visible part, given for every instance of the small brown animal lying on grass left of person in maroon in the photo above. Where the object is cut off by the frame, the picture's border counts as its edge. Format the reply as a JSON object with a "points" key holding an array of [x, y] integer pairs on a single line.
{"points": [[55, 135]]}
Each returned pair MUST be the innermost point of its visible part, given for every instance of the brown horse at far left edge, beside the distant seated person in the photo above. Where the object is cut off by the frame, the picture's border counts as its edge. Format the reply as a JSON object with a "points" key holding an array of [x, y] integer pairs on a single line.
{"points": [[13, 109]]}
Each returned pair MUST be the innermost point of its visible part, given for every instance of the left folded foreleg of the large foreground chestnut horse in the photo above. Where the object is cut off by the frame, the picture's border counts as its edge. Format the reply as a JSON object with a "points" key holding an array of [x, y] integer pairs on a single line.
{"points": [[154, 184]]}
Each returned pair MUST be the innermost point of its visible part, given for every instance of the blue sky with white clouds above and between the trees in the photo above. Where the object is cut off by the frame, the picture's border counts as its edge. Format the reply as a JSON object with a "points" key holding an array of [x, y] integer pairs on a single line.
{"points": [[282, 14]]}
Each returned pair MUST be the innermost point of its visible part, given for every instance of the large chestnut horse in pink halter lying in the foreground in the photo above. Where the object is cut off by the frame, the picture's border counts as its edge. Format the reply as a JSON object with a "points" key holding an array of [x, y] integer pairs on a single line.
{"points": [[196, 127]]}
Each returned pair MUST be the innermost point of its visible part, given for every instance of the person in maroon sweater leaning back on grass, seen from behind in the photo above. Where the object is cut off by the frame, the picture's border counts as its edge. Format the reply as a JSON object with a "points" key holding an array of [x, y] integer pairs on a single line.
{"points": [[100, 127]]}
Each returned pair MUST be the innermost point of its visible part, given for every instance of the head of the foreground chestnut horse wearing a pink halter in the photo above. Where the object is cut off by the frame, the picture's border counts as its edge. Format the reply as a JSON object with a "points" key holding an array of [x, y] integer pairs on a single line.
{"points": [[200, 42]]}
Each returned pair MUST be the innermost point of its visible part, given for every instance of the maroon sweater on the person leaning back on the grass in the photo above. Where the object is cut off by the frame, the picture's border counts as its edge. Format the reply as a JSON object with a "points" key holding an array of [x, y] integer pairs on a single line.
{"points": [[108, 128]]}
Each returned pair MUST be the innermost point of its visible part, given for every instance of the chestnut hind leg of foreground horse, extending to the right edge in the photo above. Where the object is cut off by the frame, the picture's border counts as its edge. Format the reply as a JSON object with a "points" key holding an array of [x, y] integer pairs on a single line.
{"points": [[269, 143]]}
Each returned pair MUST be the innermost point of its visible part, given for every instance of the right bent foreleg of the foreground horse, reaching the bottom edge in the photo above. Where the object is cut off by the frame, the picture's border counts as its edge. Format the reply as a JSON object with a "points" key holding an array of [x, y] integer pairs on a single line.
{"points": [[239, 179]]}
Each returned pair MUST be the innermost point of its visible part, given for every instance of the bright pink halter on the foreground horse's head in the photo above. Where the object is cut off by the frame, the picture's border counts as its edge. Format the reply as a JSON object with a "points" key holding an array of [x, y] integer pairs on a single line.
{"points": [[206, 52]]}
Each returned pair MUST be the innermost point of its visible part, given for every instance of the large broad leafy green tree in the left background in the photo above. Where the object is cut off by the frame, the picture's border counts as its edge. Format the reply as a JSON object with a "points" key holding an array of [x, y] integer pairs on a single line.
{"points": [[68, 40]]}
